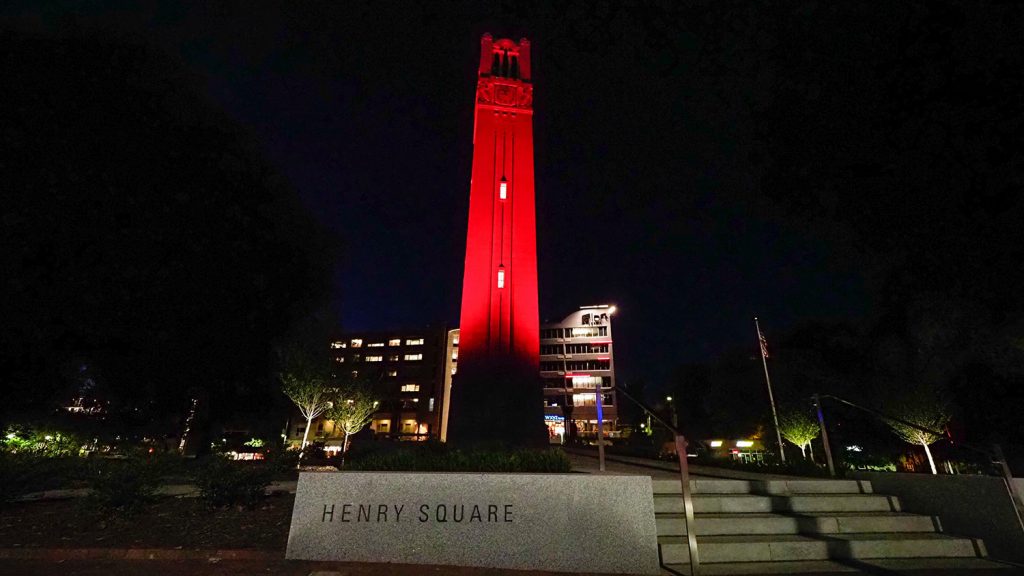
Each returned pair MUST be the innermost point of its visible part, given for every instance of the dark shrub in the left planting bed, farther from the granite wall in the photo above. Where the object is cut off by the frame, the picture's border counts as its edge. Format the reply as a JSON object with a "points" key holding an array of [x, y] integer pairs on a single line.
{"points": [[125, 486]]}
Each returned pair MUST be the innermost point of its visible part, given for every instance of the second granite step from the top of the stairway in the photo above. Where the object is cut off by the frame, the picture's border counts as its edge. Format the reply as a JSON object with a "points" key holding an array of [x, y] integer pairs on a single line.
{"points": [[746, 504]]}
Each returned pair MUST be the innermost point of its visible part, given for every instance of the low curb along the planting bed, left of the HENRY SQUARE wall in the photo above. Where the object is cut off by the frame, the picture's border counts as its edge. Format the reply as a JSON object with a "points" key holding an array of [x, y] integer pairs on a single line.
{"points": [[60, 555]]}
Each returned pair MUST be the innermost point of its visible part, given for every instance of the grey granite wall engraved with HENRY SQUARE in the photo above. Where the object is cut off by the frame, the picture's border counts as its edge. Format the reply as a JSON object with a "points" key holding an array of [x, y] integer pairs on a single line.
{"points": [[573, 523]]}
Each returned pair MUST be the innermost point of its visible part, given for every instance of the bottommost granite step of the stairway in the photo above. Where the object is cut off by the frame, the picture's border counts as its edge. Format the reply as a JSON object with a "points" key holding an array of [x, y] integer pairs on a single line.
{"points": [[862, 566]]}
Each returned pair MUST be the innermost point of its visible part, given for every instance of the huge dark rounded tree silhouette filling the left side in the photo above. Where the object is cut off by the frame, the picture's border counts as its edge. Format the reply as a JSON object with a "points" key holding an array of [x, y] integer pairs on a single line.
{"points": [[146, 239]]}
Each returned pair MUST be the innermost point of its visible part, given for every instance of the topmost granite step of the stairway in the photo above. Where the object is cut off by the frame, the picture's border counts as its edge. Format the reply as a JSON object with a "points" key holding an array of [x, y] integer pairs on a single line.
{"points": [[771, 487]]}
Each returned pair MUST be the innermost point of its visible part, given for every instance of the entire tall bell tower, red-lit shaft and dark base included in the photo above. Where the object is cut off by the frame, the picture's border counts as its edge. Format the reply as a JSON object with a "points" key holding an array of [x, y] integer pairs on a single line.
{"points": [[497, 394]]}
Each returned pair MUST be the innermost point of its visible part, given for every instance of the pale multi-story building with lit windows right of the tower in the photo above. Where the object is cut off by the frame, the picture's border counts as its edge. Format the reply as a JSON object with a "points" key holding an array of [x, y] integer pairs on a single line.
{"points": [[577, 361]]}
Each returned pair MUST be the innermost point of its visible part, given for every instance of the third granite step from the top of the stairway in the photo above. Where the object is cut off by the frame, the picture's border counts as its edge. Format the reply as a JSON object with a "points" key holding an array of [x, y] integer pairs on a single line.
{"points": [[821, 523]]}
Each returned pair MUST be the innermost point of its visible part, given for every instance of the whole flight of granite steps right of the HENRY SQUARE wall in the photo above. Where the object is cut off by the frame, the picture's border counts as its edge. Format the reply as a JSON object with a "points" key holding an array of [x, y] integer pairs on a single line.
{"points": [[792, 526]]}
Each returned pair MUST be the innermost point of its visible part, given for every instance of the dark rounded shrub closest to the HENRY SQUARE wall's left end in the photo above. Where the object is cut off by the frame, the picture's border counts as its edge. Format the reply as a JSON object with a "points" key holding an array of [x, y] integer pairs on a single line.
{"points": [[226, 483]]}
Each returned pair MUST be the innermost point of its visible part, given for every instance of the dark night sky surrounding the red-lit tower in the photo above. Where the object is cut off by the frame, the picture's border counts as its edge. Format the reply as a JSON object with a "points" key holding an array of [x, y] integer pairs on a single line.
{"points": [[639, 178]]}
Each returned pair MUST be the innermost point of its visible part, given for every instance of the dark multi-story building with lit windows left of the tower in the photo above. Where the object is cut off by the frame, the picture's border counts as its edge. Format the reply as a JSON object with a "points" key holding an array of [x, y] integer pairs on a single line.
{"points": [[407, 371]]}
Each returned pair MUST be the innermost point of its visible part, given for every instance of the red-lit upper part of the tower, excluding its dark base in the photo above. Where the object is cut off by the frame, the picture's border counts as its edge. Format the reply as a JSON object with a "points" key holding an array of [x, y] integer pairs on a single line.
{"points": [[499, 287]]}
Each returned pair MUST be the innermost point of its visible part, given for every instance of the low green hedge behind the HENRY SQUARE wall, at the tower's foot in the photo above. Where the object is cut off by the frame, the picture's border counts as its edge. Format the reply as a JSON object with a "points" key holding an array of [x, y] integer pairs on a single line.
{"points": [[433, 460]]}
